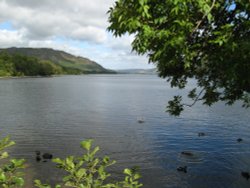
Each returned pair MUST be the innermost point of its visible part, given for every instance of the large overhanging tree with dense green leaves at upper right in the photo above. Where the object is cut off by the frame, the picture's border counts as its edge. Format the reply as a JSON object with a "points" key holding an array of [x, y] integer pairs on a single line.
{"points": [[205, 40]]}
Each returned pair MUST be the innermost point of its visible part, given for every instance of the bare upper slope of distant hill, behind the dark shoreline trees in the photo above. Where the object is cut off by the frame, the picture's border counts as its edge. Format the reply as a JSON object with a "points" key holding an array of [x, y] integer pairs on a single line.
{"points": [[69, 63]]}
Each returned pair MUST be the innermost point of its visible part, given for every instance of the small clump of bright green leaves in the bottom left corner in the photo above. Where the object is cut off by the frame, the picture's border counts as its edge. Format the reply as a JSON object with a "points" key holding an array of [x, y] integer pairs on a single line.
{"points": [[10, 175]]}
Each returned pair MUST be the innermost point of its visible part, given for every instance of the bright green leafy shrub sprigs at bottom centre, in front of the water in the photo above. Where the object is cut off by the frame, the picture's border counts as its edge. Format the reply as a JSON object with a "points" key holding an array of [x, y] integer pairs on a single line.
{"points": [[88, 171]]}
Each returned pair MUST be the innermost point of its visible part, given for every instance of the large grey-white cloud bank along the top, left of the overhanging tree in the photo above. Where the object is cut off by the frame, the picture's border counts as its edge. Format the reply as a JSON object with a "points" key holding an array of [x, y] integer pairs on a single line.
{"points": [[76, 19]]}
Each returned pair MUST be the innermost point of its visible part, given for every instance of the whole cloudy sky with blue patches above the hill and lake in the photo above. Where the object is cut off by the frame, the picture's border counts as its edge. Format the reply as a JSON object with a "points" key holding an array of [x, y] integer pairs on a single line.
{"points": [[75, 26]]}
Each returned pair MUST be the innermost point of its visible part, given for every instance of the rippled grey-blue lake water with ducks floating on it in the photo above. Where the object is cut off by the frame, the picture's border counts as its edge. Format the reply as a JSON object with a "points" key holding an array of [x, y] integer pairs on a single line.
{"points": [[55, 114]]}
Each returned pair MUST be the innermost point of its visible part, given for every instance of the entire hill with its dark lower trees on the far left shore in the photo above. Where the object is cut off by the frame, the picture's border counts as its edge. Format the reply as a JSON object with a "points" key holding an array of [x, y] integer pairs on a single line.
{"points": [[45, 62]]}
